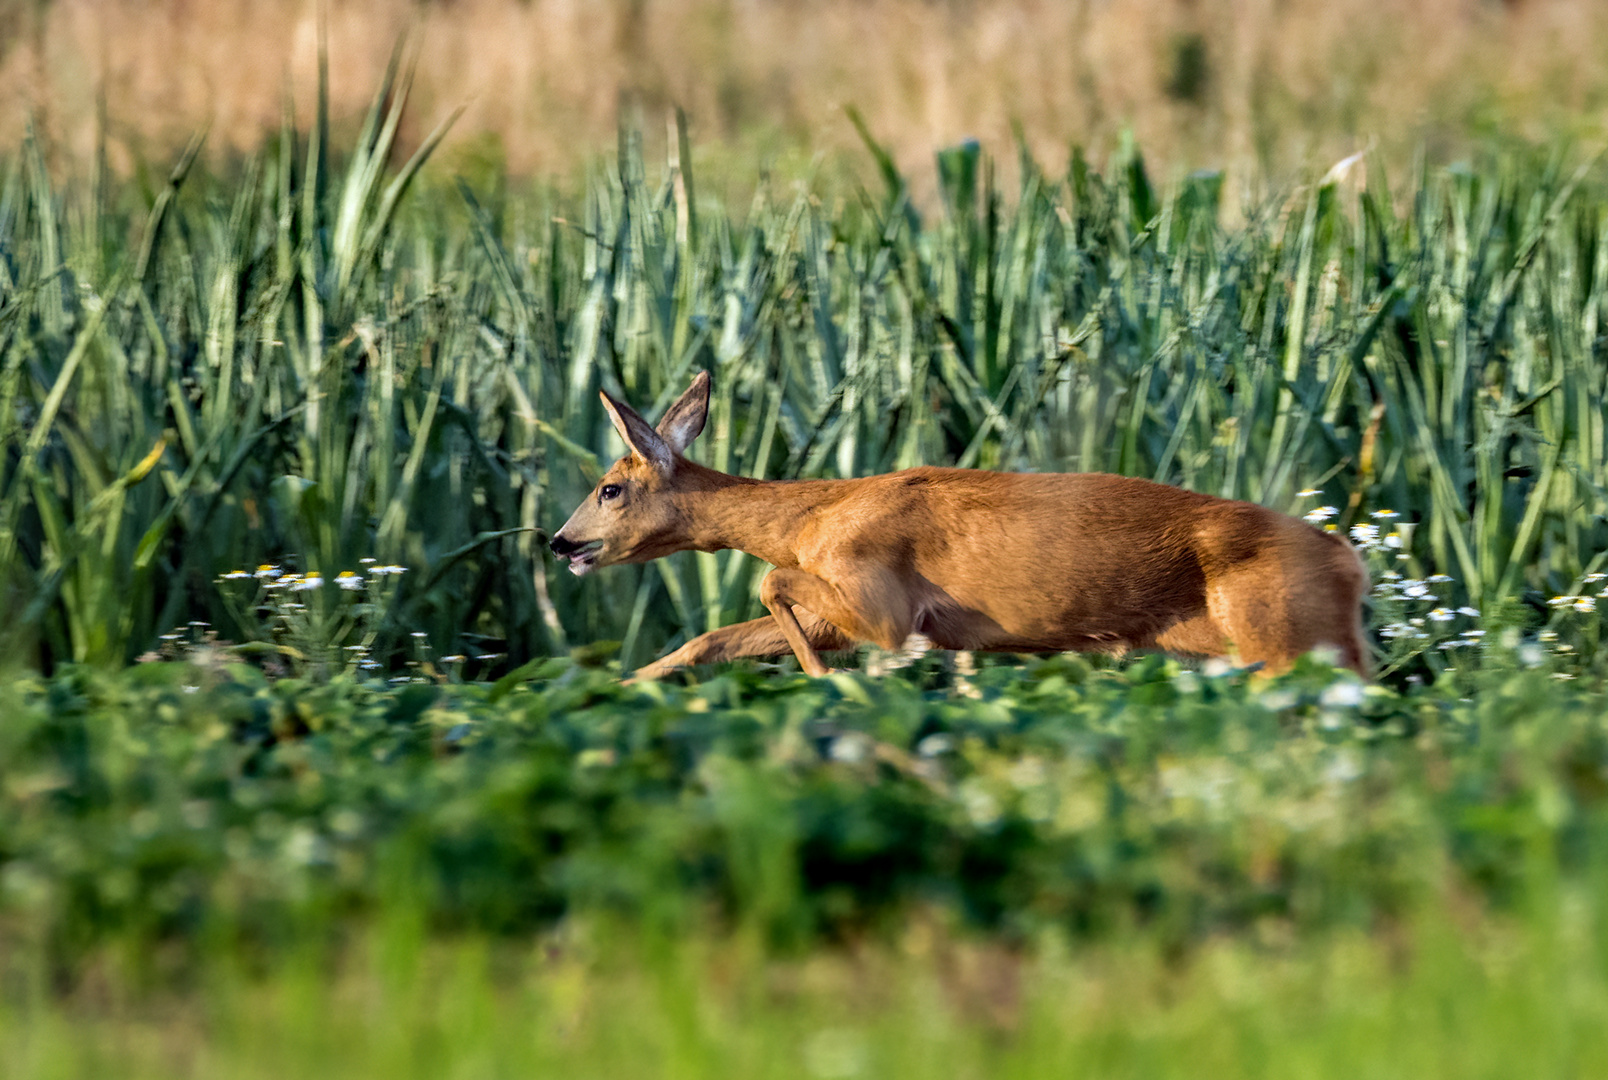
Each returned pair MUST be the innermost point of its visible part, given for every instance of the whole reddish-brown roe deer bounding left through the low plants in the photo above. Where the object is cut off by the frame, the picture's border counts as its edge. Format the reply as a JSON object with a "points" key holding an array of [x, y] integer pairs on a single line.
{"points": [[1006, 562]]}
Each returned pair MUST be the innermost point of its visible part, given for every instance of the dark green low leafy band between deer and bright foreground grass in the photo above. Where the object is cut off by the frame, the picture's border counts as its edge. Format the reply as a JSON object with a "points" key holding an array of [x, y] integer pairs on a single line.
{"points": [[195, 804]]}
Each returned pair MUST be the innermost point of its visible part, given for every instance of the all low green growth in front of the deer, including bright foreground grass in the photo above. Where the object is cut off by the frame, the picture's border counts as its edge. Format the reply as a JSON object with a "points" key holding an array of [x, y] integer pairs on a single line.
{"points": [[1036, 867]]}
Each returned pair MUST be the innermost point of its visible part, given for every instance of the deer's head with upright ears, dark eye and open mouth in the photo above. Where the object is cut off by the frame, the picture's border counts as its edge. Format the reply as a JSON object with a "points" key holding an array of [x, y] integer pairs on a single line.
{"points": [[630, 517]]}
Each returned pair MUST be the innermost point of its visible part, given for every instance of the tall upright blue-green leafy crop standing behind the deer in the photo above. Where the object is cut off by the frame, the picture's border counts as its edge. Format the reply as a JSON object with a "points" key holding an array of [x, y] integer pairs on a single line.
{"points": [[318, 361]]}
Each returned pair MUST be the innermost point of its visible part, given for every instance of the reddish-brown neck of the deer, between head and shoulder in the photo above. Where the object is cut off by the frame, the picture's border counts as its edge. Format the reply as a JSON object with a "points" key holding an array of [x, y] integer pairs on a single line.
{"points": [[761, 518]]}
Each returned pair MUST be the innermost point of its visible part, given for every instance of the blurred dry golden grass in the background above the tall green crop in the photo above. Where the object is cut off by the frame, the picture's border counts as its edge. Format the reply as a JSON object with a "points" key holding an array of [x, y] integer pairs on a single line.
{"points": [[1252, 86]]}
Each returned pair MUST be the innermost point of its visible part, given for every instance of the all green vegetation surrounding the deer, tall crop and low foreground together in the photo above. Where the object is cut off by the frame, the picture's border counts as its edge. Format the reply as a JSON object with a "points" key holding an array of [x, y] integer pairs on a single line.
{"points": [[311, 761]]}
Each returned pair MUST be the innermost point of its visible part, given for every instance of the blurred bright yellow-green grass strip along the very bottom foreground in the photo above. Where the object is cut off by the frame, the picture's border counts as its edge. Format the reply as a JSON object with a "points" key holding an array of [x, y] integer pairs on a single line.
{"points": [[1434, 1000]]}
